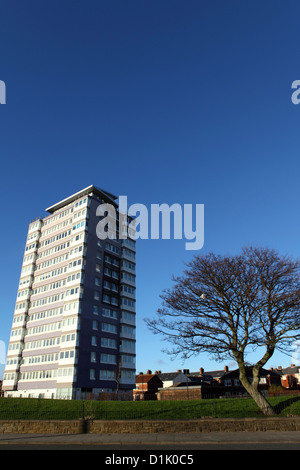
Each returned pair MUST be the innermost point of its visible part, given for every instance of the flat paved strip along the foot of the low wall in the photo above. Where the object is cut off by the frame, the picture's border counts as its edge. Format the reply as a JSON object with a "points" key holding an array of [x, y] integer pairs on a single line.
{"points": [[277, 439]]}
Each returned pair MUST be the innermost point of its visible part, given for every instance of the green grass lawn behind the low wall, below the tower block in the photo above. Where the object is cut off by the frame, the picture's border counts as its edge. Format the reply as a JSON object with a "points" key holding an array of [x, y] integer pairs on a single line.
{"points": [[35, 408]]}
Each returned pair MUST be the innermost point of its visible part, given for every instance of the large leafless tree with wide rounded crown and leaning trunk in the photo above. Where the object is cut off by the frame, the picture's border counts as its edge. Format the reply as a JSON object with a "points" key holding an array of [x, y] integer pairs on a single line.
{"points": [[229, 306]]}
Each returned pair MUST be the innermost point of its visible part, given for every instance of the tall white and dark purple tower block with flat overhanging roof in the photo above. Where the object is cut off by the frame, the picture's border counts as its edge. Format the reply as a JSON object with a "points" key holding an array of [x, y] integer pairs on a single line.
{"points": [[73, 329]]}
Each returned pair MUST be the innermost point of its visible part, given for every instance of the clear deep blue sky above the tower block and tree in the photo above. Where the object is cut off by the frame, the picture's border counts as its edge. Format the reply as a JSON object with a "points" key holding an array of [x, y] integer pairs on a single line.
{"points": [[162, 101]]}
